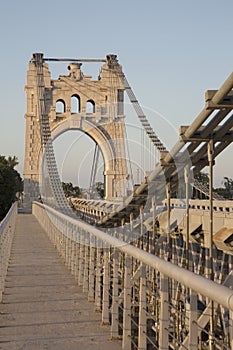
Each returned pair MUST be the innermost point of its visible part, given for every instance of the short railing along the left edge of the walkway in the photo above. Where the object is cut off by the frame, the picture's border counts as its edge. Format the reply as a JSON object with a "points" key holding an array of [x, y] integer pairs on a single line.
{"points": [[7, 229]]}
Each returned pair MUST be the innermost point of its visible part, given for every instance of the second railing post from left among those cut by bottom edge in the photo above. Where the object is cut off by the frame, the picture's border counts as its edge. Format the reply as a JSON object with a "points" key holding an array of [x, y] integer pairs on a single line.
{"points": [[142, 323]]}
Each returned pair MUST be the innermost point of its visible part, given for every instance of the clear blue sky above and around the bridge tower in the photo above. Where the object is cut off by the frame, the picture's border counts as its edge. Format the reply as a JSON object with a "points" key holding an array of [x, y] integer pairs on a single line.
{"points": [[171, 51]]}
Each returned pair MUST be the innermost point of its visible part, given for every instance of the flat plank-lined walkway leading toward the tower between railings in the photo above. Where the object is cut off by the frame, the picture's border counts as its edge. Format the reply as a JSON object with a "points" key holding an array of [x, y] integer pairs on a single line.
{"points": [[43, 308]]}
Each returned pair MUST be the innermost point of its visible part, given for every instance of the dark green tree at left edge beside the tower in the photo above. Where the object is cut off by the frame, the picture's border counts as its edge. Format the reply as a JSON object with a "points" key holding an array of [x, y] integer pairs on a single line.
{"points": [[10, 184]]}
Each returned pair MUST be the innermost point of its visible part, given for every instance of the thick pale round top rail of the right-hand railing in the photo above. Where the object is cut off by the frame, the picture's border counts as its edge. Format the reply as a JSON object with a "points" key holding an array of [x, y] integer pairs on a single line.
{"points": [[218, 293]]}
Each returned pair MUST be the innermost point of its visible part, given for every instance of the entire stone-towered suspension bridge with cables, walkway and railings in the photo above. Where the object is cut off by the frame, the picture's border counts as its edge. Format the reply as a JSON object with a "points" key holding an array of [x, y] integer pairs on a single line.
{"points": [[154, 264]]}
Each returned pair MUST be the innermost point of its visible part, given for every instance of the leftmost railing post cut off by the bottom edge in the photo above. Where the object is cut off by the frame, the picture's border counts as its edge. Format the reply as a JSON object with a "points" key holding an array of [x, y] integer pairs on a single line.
{"points": [[126, 341]]}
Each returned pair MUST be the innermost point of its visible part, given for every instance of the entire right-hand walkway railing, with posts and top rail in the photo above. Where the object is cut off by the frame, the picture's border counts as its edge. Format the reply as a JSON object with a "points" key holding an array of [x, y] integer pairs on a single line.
{"points": [[149, 302]]}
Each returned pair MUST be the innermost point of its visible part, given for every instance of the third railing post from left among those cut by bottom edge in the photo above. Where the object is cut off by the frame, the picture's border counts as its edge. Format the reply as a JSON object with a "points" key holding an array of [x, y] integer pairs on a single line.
{"points": [[164, 314]]}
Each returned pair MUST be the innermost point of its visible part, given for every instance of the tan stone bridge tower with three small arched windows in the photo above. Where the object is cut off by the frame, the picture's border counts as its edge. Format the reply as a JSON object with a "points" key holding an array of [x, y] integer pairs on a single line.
{"points": [[99, 113]]}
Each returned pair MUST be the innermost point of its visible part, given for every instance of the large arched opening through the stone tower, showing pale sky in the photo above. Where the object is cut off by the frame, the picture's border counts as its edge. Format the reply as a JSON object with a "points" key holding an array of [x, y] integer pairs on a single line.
{"points": [[80, 162]]}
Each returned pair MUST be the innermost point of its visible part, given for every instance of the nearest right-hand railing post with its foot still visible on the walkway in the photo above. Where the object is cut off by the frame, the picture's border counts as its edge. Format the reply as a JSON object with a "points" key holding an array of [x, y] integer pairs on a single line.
{"points": [[115, 298]]}
